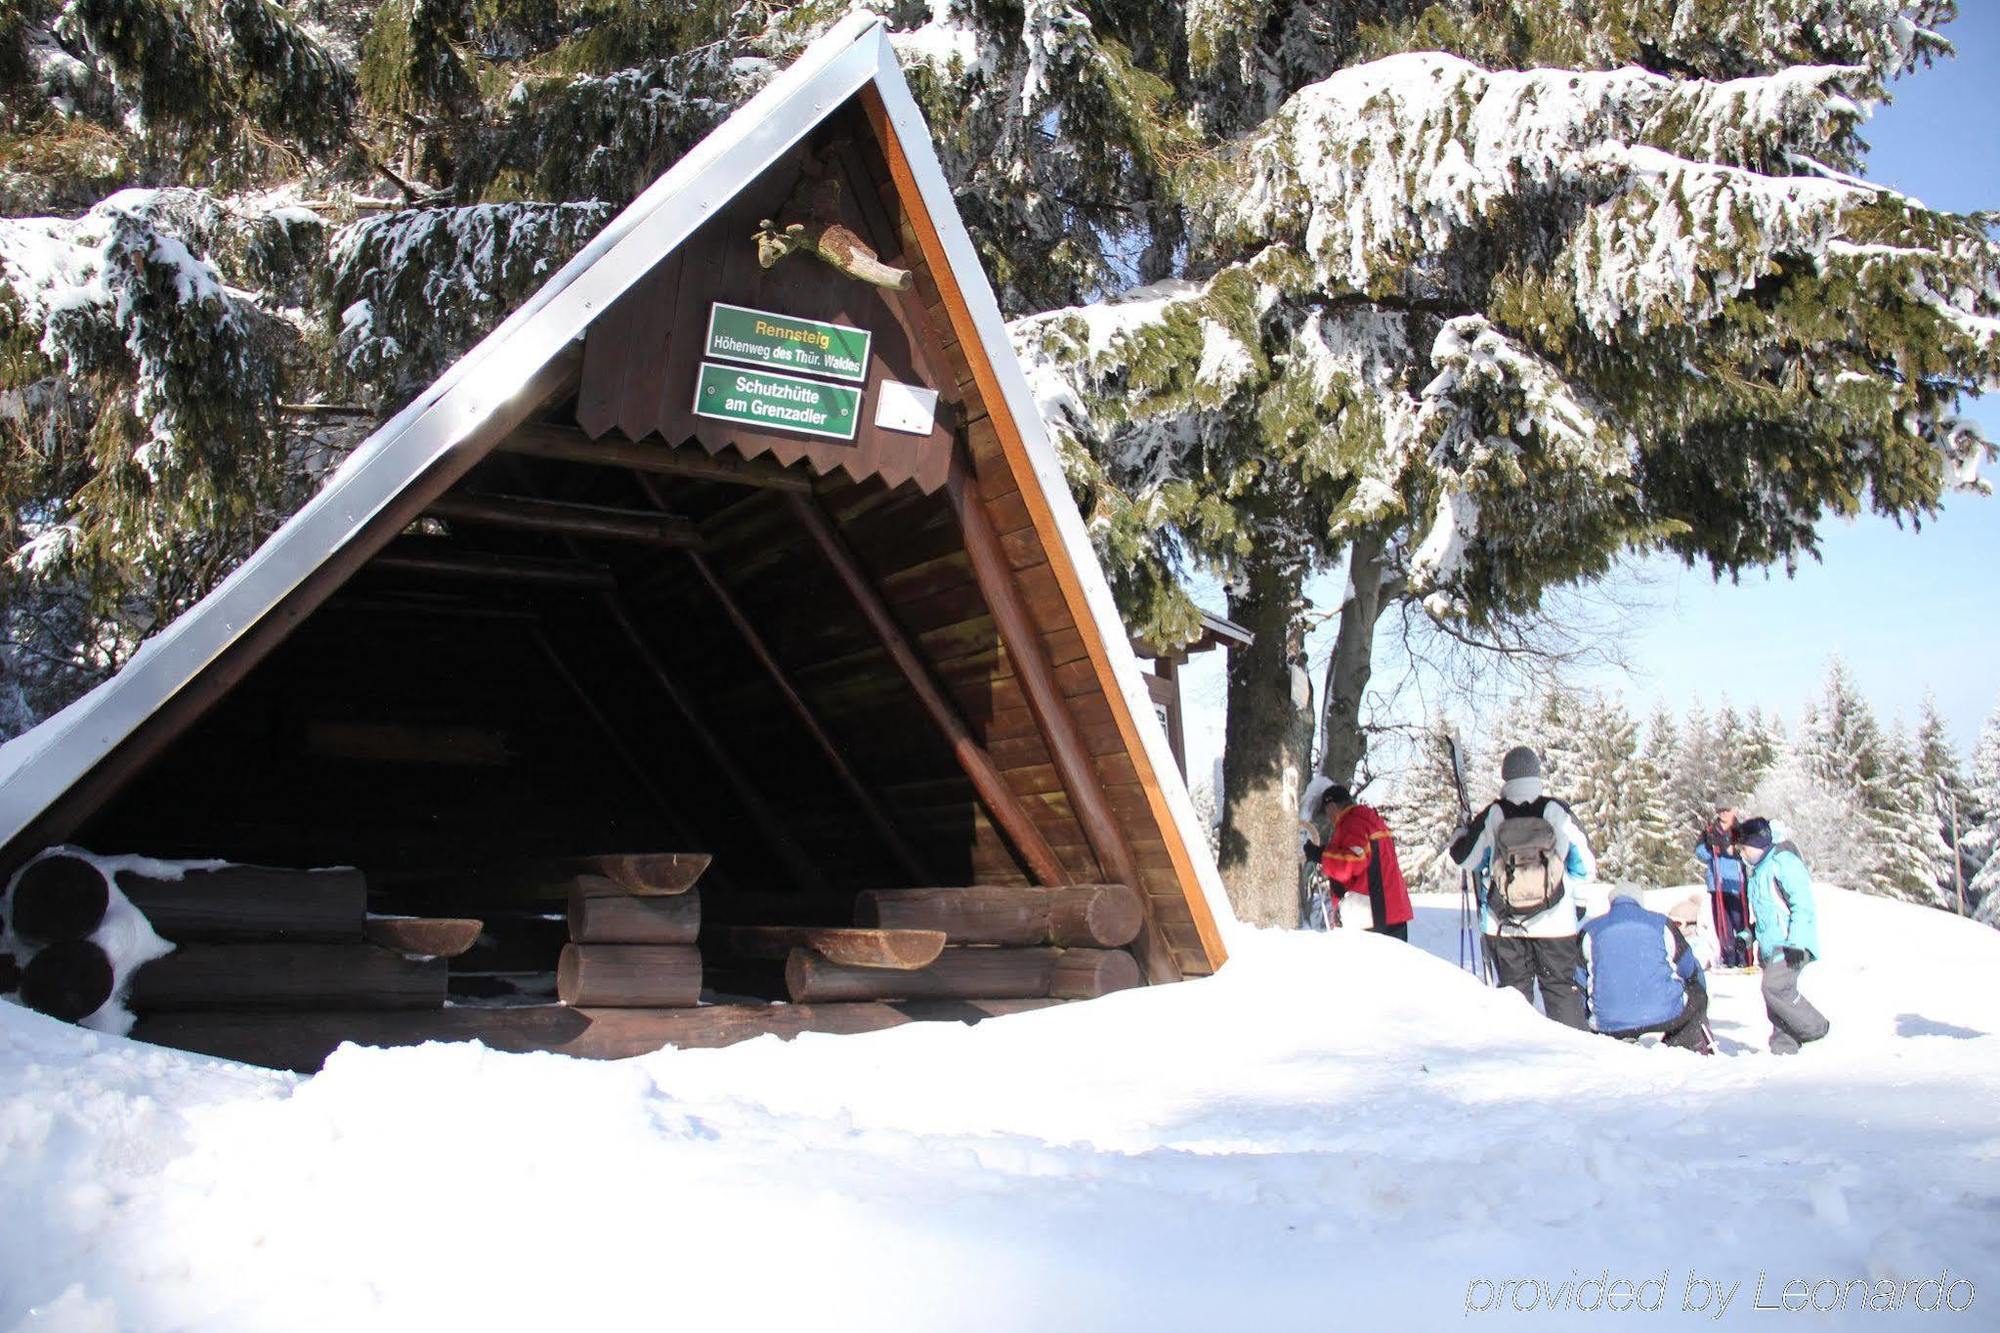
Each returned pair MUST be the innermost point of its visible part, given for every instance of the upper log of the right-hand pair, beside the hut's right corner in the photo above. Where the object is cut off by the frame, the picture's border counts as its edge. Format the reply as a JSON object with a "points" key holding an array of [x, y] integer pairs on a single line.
{"points": [[1075, 918]]}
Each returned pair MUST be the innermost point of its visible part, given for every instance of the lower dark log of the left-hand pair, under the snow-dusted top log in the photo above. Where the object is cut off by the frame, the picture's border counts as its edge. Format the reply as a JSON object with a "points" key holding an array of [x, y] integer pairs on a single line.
{"points": [[287, 978]]}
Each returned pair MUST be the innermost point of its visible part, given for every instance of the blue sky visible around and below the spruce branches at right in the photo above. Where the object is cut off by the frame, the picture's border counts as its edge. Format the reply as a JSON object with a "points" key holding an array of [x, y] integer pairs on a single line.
{"points": [[1907, 609]]}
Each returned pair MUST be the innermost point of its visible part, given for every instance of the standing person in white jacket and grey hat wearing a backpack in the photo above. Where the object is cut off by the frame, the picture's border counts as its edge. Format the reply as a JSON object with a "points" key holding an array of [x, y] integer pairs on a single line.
{"points": [[1529, 848]]}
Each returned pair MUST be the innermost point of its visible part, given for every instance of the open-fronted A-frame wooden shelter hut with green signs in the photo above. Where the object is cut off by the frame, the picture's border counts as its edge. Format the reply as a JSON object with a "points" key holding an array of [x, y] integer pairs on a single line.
{"points": [[719, 629]]}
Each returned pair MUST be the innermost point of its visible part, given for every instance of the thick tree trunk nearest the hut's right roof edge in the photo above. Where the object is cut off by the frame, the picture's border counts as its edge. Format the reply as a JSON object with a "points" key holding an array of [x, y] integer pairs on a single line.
{"points": [[1267, 748]]}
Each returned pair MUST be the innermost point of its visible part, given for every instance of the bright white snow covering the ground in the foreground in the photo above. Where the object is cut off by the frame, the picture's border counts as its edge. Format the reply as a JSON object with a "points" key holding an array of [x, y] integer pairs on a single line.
{"points": [[1337, 1132]]}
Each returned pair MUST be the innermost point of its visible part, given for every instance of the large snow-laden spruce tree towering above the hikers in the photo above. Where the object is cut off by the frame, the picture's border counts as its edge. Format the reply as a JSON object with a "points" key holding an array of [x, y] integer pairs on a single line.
{"points": [[1479, 295]]}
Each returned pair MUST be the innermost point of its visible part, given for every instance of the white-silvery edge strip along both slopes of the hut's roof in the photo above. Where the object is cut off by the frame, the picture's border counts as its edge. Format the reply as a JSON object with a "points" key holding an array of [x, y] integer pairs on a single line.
{"points": [[41, 766]]}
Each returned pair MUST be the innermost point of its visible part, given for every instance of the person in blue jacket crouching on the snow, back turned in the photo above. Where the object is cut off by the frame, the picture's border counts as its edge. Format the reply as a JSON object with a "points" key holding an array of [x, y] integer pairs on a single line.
{"points": [[1645, 978]]}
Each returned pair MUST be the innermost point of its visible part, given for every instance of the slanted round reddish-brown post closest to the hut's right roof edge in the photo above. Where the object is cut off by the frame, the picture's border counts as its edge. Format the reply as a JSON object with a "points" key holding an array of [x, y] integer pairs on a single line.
{"points": [[1051, 712]]}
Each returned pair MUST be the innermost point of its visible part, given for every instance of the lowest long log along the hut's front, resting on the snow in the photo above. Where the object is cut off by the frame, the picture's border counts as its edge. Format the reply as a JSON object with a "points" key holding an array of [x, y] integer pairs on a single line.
{"points": [[303, 1042]]}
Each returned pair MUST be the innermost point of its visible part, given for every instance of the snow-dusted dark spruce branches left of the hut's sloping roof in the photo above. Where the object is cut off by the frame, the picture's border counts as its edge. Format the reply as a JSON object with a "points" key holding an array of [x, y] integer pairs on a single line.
{"points": [[149, 337]]}
